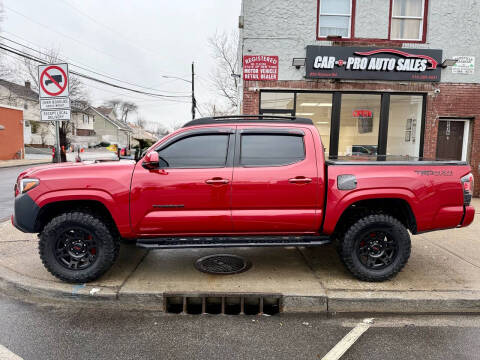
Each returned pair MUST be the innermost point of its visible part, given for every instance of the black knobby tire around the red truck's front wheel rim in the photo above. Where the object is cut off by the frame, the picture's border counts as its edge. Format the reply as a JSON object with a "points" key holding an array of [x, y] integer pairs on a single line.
{"points": [[107, 249]]}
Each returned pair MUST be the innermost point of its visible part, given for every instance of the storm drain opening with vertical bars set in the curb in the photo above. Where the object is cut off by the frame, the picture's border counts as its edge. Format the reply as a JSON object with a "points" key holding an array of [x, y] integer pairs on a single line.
{"points": [[228, 305]]}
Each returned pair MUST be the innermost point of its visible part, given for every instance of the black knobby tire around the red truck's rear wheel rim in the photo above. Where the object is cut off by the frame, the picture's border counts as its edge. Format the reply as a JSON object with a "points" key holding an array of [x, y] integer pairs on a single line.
{"points": [[354, 234]]}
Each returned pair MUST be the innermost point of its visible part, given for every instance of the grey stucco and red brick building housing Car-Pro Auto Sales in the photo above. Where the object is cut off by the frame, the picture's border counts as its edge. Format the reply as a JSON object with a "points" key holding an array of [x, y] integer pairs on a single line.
{"points": [[377, 77]]}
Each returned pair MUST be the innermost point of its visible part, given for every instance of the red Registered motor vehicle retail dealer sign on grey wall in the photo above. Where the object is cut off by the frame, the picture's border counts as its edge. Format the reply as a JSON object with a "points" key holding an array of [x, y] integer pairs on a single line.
{"points": [[260, 67]]}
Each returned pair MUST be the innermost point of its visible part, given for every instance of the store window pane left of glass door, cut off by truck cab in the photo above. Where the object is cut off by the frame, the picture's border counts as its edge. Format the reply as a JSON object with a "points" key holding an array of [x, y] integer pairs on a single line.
{"points": [[318, 107]]}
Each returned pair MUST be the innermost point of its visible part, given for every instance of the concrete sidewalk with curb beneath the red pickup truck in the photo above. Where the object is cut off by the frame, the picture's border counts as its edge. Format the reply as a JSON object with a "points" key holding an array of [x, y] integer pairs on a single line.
{"points": [[442, 276]]}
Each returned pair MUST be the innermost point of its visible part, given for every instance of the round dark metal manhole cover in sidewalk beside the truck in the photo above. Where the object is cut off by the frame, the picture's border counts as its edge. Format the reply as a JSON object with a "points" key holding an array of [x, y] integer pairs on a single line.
{"points": [[222, 264]]}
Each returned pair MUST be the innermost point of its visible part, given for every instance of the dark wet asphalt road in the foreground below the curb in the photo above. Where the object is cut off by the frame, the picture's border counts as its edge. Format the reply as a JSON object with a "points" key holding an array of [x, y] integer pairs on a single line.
{"points": [[38, 332]]}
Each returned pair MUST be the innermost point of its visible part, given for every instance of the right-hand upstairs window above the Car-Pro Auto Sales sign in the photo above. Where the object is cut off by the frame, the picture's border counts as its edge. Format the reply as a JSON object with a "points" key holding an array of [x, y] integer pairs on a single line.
{"points": [[407, 20]]}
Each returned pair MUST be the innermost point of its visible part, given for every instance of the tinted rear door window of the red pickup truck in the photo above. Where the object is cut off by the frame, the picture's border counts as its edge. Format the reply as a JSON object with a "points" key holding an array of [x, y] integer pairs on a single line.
{"points": [[271, 150]]}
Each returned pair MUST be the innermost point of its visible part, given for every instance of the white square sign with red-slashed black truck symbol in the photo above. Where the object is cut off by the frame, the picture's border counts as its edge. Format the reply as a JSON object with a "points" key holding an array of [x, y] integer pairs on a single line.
{"points": [[53, 80]]}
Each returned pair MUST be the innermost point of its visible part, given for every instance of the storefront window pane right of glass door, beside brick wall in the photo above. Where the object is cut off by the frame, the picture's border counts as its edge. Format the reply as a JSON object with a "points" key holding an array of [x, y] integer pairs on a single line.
{"points": [[404, 125]]}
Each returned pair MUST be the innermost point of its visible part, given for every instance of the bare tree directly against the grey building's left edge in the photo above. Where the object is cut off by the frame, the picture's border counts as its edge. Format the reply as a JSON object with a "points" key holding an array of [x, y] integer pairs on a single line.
{"points": [[224, 49]]}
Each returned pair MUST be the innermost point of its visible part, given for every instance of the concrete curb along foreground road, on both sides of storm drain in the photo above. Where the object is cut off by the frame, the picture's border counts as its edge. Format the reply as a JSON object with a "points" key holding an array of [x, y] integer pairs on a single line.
{"points": [[338, 301]]}
